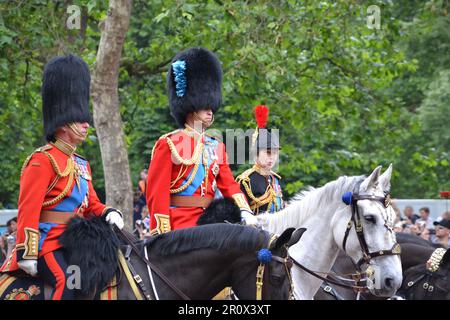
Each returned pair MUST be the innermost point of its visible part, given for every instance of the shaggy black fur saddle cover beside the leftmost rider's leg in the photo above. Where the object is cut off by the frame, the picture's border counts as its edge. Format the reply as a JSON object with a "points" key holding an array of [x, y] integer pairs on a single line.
{"points": [[92, 245]]}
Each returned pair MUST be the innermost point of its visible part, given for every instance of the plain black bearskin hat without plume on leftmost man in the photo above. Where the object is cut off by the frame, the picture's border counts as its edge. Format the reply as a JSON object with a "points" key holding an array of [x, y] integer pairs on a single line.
{"points": [[65, 93]]}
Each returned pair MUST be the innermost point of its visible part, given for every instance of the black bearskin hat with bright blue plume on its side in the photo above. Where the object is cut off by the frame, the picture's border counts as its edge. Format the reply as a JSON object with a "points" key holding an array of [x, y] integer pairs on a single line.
{"points": [[194, 82]]}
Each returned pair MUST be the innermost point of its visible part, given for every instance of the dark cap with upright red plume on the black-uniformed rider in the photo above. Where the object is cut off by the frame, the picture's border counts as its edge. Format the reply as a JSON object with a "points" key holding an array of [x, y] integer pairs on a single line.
{"points": [[263, 138]]}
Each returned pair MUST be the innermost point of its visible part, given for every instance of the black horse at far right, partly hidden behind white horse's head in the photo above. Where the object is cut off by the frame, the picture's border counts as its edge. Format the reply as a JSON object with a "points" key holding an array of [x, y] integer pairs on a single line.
{"points": [[418, 282]]}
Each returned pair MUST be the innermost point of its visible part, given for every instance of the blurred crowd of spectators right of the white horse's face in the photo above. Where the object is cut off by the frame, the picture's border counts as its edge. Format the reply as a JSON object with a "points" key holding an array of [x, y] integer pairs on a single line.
{"points": [[436, 231]]}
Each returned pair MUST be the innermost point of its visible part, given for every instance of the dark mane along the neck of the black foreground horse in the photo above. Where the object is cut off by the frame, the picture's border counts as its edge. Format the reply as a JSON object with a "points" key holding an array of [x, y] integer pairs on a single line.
{"points": [[218, 236]]}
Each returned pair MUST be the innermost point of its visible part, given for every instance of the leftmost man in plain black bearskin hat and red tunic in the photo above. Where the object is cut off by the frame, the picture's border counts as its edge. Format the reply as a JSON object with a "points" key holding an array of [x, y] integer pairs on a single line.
{"points": [[56, 183]]}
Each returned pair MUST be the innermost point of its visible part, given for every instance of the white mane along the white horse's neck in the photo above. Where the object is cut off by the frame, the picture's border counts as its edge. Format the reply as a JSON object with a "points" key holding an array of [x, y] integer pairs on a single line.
{"points": [[309, 202]]}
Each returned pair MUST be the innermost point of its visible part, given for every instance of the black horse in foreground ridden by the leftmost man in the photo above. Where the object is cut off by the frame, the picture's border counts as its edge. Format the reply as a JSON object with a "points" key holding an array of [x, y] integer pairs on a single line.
{"points": [[198, 261]]}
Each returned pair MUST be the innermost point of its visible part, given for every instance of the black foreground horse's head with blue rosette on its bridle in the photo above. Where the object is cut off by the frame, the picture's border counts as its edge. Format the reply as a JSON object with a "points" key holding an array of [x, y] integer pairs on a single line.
{"points": [[267, 275]]}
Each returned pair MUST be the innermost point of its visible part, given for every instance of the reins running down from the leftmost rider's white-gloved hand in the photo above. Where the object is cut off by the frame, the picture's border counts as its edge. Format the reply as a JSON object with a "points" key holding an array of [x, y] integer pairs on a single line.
{"points": [[130, 243]]}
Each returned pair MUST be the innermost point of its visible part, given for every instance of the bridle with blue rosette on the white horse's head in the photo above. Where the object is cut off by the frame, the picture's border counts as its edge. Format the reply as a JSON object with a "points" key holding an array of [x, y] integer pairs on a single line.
{"points": [[352, 199]]}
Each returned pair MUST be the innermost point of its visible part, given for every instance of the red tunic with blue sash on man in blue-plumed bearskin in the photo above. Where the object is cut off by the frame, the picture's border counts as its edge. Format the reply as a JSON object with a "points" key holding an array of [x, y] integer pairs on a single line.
{"points": [[184, 166]]}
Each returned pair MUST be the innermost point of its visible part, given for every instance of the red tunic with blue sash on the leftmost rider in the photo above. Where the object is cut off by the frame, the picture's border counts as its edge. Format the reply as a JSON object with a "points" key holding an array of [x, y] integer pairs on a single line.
{"points": [[52, 180]]}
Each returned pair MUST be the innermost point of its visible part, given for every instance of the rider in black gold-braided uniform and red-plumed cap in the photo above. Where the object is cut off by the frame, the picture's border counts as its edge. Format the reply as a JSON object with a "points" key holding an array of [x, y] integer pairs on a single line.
{"points": [[260, 184]]}
